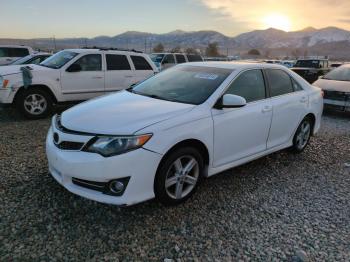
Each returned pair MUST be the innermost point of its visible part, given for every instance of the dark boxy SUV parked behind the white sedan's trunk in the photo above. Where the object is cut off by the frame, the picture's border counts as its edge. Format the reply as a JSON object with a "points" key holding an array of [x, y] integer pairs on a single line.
{"points": [[311, 69]]}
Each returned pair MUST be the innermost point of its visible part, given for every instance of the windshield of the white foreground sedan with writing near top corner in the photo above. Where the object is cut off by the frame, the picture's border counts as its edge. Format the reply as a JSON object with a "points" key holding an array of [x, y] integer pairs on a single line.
{"points": [[183, 84]]}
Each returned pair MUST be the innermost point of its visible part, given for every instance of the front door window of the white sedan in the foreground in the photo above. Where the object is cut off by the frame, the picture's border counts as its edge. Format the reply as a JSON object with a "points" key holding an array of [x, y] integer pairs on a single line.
{"points": [[250, 85]]}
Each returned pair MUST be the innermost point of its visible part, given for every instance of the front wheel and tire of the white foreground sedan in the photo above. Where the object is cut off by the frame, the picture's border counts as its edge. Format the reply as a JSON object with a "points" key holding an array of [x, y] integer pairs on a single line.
{"points": [[178, 176]]}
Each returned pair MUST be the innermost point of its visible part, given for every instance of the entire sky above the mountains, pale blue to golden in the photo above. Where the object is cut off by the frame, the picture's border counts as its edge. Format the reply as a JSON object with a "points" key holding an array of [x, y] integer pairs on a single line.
{"points": [[90, 18]]}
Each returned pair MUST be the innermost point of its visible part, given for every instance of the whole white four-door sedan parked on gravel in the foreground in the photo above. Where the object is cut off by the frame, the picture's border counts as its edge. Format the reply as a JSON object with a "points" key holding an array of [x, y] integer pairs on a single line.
{"points": [[161, 137]]}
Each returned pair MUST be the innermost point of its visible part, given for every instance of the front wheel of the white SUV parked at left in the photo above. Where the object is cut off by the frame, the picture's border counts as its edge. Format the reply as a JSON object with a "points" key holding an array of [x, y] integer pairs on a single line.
{"points": [[34, 103]]}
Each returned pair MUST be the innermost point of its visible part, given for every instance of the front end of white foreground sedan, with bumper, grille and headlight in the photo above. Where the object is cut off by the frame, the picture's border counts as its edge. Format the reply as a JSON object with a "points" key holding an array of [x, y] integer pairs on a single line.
{"points": [[120, 178]]}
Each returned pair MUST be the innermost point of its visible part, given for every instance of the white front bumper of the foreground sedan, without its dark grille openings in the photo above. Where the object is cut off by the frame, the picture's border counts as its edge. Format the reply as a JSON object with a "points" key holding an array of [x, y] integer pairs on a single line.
{"points": [[140, 165]]}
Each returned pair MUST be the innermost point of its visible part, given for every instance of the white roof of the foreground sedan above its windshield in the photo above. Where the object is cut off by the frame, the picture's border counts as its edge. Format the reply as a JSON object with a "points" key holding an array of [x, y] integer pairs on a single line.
{"points": [[234, 65]]}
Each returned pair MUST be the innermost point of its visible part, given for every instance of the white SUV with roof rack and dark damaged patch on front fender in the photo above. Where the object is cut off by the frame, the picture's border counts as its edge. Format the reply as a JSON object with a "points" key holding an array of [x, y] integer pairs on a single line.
{"points": [[71, 75]]}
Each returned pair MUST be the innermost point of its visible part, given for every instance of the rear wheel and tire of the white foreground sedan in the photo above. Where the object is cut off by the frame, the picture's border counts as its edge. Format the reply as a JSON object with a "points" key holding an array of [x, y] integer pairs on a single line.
{"points": [[302, 135]]}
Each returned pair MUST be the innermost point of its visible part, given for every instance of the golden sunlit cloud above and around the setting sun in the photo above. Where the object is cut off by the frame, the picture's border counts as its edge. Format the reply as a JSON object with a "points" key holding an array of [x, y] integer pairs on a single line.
{"points": [[317, 13]]}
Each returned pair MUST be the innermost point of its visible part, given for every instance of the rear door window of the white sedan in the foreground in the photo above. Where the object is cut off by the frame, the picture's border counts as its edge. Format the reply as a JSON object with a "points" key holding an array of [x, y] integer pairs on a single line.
{"points": [[280, 82]]}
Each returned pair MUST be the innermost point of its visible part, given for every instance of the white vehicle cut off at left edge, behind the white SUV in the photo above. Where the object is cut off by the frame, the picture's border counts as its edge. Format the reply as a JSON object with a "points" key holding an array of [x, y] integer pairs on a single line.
{"points": [[10, 53]]}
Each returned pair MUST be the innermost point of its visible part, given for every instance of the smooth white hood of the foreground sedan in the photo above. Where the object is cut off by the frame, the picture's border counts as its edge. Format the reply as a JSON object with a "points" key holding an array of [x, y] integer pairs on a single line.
{"points": [[122, 113]]}
